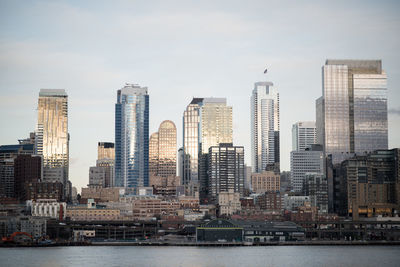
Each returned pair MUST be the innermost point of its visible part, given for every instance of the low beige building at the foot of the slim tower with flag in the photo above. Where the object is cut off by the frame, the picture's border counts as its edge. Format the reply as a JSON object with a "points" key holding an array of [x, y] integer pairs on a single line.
{"points": [[267, 181]]}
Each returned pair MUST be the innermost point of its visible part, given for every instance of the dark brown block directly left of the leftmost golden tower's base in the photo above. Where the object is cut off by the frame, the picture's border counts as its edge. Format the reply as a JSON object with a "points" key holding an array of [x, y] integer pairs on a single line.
{"points": [[27, 169]]}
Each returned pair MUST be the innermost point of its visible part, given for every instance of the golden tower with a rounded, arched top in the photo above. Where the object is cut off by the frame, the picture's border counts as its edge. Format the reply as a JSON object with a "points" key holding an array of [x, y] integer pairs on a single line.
{"points": [[162, 155]]}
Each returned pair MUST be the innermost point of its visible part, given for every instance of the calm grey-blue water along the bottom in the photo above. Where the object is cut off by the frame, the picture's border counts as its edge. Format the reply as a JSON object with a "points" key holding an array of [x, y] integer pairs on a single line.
{"points": [[202, 256]]}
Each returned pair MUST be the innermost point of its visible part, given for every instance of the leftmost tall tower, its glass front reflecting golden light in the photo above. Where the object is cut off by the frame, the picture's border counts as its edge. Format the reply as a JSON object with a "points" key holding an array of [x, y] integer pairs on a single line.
{"points": [[52, 137]]}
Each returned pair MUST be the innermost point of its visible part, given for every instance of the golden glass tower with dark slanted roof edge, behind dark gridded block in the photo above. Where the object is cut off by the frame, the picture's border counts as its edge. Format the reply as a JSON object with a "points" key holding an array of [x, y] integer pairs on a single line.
{"points": [[206, 122]]}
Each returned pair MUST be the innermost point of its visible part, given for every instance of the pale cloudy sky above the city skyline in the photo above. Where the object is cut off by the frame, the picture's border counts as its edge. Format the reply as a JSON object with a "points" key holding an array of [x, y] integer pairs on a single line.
{"points": [[181, 50]]}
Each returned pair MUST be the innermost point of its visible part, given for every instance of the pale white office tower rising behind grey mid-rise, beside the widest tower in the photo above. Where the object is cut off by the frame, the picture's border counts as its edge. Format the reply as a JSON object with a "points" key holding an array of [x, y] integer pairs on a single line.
{"points": [[303, 135]]}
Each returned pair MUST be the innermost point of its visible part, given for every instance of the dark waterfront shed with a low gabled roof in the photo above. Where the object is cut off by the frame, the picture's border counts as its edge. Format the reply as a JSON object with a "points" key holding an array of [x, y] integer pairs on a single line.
{"points": [[220, 230]]}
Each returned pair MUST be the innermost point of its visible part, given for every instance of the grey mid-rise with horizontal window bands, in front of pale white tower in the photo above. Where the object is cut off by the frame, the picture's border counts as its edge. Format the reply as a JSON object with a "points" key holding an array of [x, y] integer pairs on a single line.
{"points": [[310, 160]]}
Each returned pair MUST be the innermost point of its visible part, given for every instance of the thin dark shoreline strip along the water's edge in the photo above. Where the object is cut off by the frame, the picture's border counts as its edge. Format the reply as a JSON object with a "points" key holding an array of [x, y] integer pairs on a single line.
{"points": [[210, 244]]}
